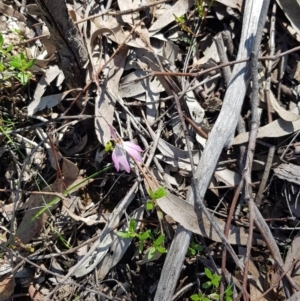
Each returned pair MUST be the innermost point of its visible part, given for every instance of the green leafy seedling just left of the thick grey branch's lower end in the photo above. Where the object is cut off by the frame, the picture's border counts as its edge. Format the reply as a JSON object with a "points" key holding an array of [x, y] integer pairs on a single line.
{"points": [[157, 243]]}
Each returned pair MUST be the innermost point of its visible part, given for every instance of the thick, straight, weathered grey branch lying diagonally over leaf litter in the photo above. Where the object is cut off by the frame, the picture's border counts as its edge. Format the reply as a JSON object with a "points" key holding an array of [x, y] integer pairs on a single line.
{"points": [[220, 137]]}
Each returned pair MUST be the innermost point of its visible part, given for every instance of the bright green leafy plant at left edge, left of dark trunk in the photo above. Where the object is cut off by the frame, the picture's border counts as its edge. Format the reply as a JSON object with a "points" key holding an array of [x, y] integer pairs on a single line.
{"points": [[16, 66]]}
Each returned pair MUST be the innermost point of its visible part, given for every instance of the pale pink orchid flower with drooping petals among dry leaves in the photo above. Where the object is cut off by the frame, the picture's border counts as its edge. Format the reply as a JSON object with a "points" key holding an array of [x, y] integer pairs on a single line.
{"points": [[122, 150]]}
